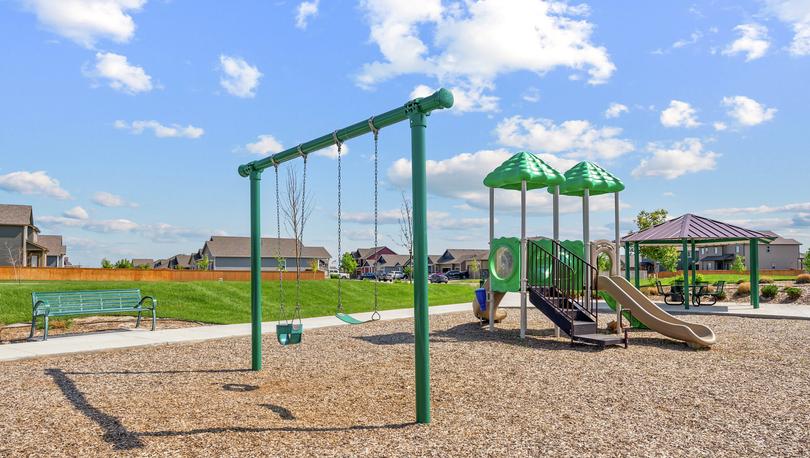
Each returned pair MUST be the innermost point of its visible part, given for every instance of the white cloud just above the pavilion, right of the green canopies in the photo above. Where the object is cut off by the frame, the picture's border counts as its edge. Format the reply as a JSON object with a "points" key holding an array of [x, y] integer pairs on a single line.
{"points": [[675, 160]]}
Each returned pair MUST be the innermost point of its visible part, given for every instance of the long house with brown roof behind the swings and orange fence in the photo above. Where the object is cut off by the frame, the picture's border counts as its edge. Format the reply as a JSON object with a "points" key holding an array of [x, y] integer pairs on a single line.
{"points": [[233, 253]]}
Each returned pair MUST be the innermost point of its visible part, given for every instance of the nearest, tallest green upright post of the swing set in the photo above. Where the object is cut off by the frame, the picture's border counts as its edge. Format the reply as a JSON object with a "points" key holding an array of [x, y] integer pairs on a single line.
{"points": [[420, 298]]}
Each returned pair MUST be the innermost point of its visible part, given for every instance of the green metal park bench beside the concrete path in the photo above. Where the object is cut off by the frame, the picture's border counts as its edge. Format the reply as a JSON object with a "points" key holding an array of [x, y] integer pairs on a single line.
{"points": [[72, 303]]}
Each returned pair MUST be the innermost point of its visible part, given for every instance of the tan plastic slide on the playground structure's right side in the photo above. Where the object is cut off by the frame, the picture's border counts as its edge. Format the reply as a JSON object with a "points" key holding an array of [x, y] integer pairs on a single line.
{"points": [[652, 316]]}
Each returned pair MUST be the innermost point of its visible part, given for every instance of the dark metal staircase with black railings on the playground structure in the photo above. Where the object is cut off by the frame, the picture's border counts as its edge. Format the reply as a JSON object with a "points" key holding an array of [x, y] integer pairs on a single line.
{"points": [[563, 286]]}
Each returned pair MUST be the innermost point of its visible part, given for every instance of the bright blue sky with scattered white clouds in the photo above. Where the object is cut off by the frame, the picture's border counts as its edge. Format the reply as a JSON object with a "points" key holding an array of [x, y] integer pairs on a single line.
{"points": [[123, 121]]}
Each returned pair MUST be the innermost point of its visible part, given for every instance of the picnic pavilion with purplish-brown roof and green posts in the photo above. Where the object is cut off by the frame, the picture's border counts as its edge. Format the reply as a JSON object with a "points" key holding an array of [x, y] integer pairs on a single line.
{"points": [[689, 231]]}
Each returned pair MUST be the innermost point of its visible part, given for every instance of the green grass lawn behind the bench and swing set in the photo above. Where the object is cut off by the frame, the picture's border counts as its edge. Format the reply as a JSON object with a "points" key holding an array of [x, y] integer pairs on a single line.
{"points": [[229, 302]]}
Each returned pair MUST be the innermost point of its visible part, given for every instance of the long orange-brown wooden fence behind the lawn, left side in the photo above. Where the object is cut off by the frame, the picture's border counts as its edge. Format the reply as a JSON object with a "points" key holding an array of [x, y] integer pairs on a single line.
{"points": [[83, 274]]}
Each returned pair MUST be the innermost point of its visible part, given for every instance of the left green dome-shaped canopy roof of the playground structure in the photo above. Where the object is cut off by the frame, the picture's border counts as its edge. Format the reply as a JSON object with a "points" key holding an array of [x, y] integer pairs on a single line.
{"points": [[521, 167]]}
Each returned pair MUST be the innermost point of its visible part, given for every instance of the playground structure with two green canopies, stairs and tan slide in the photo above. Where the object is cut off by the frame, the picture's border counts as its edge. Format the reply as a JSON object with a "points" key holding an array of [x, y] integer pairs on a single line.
{"points": [[559, 277]]}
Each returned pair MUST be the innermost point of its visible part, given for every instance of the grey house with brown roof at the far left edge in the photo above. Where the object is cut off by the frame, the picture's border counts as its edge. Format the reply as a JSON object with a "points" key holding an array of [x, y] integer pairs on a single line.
{"points": [[20, 242]]}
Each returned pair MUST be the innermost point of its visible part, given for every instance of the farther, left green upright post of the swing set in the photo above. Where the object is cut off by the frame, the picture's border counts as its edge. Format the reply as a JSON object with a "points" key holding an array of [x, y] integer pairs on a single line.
{"points": [[255, 270]]}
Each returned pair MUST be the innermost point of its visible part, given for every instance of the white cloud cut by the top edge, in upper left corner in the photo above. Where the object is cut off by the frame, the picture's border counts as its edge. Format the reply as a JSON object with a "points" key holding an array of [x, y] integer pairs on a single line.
{"points": [[86, 21]]}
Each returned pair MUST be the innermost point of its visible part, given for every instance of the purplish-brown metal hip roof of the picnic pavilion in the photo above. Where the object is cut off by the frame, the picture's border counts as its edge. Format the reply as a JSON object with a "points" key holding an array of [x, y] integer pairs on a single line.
{"points": [[697, 228]]}
